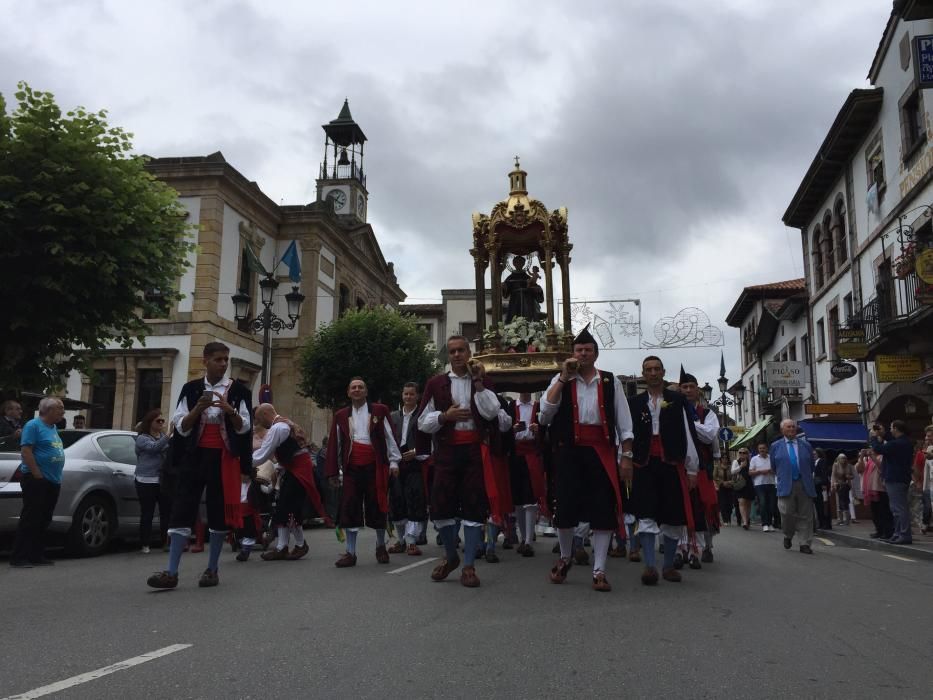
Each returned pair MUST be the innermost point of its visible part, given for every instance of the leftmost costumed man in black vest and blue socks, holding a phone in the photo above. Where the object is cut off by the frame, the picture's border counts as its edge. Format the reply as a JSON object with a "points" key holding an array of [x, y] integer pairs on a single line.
{"points": [[213, 419]]}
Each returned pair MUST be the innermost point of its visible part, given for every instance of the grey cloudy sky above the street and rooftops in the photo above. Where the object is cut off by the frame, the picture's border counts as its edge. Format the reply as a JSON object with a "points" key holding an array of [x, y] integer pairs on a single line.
{"points": [[675, 132]]}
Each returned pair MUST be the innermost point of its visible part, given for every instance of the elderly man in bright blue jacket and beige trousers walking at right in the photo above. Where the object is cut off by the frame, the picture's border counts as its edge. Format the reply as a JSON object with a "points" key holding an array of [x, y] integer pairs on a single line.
{"points": [[792, 461]]}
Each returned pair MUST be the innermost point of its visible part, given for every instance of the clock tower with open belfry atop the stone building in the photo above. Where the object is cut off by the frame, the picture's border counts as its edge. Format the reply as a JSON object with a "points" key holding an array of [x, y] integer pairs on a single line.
{"points": [[342, 182]]}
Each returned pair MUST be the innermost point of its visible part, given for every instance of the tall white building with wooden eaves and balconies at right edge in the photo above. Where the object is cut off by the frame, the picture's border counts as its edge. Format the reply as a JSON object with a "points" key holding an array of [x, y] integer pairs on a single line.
{"points": [[863, 210]]}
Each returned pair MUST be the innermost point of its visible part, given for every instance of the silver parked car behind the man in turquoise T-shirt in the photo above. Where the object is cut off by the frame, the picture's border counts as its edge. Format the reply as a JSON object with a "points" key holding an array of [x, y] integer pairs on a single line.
{"points": [[98, 500]]}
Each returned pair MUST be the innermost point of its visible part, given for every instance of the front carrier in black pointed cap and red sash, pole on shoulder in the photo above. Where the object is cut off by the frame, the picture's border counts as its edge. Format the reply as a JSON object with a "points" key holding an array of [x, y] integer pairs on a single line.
{"points": [[588, 418]]}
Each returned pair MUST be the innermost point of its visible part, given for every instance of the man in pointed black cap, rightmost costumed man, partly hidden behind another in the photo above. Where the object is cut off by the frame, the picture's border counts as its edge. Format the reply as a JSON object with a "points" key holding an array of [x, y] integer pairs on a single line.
{"points": [[703, 499]]}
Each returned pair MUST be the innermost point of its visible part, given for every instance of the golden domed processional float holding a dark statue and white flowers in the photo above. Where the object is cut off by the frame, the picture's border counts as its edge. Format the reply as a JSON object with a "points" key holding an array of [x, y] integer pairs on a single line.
{"points": [[519, 241]]}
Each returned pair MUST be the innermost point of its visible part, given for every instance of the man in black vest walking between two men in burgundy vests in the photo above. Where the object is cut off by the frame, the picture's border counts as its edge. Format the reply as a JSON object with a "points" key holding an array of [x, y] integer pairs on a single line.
{"points": [[408, 504]]}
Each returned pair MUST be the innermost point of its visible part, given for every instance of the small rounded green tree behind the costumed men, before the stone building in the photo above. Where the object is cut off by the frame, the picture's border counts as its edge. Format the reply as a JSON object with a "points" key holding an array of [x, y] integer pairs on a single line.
{"points": [[383, 347]]}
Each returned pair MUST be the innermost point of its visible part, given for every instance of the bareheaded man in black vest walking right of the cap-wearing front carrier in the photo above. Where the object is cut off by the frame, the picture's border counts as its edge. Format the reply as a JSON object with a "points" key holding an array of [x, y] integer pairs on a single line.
{"points": [[666, 464]]}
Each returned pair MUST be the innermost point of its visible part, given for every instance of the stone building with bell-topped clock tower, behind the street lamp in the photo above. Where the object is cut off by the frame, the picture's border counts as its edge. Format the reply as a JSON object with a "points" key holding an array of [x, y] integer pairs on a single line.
{"points": [[341, 262]]}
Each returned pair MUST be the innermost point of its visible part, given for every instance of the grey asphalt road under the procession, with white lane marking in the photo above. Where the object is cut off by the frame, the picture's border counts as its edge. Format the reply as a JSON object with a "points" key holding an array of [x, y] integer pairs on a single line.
{"points": [[761, 622]]}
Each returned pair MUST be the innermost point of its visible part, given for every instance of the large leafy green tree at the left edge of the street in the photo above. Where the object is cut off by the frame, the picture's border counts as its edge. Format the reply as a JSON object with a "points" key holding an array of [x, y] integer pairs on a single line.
{"points": [[90, 243]]}
